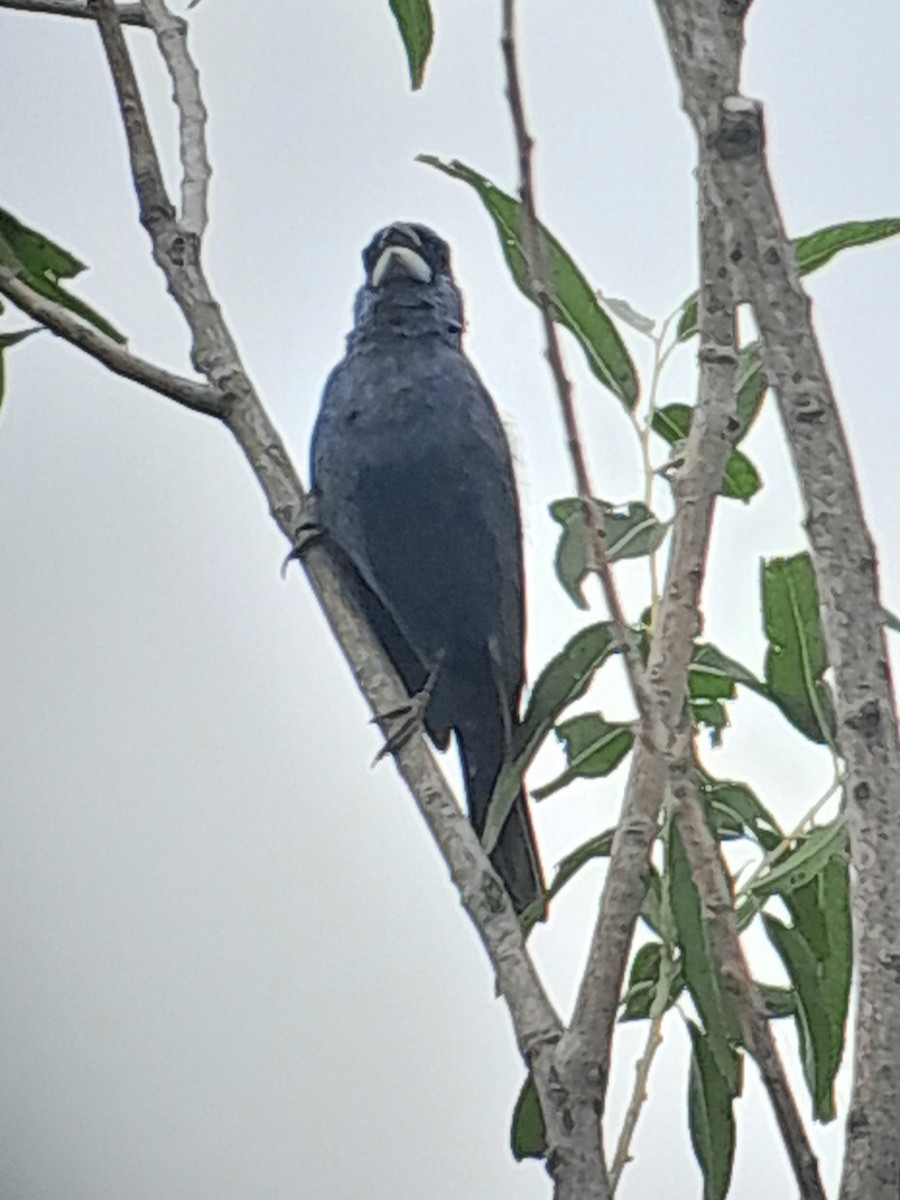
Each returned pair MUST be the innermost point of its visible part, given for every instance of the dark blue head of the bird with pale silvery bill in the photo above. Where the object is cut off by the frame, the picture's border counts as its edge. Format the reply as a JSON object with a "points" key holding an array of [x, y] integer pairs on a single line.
{"points": [[410, 287]]}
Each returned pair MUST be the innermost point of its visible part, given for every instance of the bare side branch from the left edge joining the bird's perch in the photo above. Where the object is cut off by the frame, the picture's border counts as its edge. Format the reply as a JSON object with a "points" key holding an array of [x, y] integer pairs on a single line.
{"points": [[190, 393]]}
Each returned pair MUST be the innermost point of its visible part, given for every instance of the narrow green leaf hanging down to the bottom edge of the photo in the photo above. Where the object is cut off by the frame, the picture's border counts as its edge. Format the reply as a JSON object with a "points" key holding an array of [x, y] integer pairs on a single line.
{"points": [[711, 1114]]}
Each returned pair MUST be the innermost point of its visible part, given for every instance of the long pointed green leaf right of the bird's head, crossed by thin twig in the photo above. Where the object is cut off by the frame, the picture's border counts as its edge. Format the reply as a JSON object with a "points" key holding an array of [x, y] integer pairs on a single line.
{"points": [[575, 304]]}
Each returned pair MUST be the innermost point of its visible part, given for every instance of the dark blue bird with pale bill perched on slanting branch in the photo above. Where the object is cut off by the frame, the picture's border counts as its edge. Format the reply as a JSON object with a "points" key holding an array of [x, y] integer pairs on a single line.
{"points": [[417, 499]]}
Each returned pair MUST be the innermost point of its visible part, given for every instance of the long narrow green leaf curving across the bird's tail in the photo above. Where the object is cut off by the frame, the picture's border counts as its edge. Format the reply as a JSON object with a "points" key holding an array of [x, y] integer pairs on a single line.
{"points": [[565, 680]]}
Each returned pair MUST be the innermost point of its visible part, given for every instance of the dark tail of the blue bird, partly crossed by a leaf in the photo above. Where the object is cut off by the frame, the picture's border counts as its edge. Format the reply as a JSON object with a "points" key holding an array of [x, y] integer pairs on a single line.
{"points": [[515, 856]]}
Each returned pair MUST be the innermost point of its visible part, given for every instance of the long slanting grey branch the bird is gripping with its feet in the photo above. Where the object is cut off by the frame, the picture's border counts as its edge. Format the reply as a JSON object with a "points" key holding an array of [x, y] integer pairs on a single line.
{"points": [[537, 1025]]}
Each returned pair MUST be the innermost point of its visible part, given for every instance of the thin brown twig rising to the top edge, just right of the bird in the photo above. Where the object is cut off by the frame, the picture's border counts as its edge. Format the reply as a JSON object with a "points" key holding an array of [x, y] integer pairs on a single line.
{"points": [[537, 268]]}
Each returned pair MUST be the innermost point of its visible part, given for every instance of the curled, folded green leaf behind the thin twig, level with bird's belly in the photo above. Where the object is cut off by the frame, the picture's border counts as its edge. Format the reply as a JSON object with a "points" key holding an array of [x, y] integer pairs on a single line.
{"points": [[632, 531]]}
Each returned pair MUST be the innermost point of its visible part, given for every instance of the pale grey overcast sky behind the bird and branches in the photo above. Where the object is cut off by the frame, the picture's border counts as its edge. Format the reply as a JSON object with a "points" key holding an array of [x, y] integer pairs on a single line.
{"points": [[231, 963]]}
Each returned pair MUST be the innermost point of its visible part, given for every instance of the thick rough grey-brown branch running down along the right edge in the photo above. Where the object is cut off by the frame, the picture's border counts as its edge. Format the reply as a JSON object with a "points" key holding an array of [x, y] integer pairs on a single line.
{"points": [[700, 35]]}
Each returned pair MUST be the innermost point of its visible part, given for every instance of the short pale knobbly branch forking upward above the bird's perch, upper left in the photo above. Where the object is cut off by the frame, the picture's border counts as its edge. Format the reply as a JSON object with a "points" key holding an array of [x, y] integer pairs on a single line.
{"points": [[172, 37]]}
